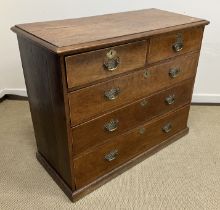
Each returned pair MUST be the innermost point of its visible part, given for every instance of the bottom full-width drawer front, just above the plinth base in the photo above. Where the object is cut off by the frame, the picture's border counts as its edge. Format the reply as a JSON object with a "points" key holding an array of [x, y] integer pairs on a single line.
{"points": [[124, 147]]}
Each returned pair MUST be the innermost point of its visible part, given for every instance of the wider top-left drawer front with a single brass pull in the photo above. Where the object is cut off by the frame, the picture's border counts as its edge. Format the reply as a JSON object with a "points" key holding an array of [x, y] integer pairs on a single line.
{"points": [[95, 65]]}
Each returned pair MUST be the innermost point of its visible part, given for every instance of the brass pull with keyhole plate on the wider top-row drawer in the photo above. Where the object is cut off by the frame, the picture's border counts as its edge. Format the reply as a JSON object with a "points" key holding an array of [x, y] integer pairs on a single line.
{"points": [[111, 60]]}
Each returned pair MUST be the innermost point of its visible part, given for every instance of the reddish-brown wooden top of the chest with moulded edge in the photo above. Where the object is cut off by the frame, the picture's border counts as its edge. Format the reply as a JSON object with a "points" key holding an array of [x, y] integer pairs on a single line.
{"points": [[61, 34]]}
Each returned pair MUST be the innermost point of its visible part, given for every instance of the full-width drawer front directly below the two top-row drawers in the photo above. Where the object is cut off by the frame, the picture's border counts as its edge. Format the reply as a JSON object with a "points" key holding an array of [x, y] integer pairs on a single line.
{"points": [[97, 99]]}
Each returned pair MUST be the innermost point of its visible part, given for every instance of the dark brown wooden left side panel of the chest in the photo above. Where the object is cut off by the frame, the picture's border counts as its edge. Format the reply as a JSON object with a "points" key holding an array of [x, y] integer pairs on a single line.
{"points": [[45, 95]]}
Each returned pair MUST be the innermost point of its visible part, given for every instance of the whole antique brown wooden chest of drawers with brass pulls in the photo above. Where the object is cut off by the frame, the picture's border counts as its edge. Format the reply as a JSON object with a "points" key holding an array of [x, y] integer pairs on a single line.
{"points": [[107, 91]]}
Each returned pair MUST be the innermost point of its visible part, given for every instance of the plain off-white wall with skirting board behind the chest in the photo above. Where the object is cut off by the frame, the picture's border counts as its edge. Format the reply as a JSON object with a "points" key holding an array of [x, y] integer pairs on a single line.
{"points": [[207, 87]]}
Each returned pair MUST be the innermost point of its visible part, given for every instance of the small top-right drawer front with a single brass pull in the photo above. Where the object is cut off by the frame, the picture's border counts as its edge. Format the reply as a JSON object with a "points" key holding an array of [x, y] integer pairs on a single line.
{"points": [[175, 43]]}
